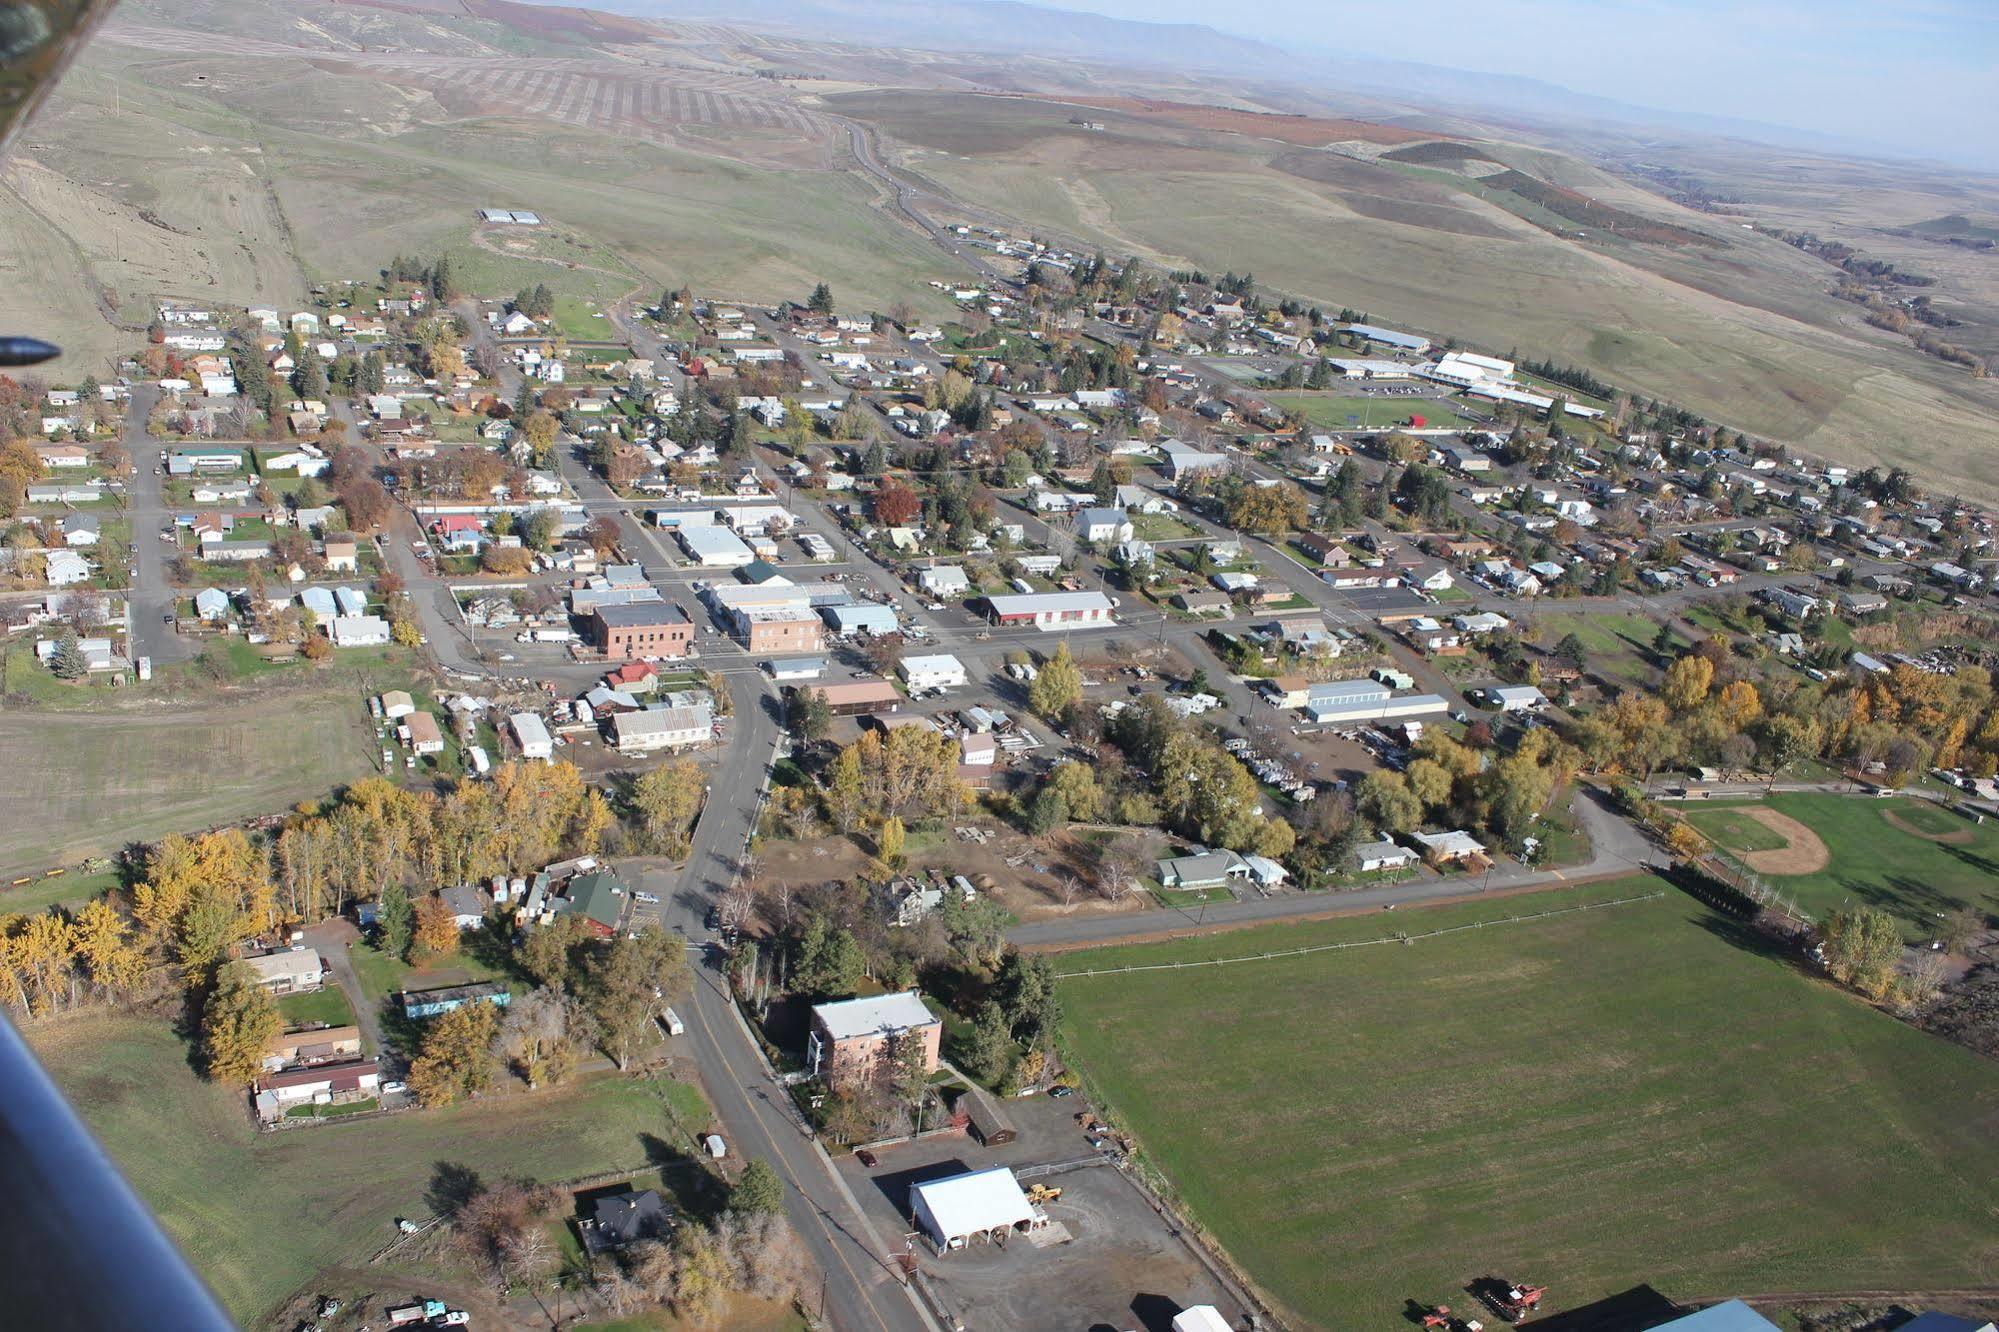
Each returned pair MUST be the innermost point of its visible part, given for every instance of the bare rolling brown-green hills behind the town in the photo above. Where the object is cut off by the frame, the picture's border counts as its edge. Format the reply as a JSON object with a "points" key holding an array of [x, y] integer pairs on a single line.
{"points": [[243, 151]]}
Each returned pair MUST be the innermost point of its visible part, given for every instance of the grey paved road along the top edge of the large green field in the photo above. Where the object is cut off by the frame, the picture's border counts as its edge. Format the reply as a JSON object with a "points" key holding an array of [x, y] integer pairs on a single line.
{"points": [[1616, 849]]}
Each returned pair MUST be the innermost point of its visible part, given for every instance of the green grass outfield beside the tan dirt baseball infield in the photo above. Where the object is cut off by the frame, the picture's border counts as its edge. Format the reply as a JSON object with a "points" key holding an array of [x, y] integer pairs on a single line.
{"points": [[1880, 865]]}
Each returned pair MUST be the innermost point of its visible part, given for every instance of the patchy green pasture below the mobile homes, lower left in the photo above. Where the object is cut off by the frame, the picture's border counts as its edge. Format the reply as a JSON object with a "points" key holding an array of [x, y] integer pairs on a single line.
{"points": [[263, 1213]]}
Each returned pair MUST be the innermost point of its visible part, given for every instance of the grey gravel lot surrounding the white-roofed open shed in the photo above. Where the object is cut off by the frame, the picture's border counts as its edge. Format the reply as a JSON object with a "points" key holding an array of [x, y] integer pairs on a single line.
{"points": [[1122, 1265]]}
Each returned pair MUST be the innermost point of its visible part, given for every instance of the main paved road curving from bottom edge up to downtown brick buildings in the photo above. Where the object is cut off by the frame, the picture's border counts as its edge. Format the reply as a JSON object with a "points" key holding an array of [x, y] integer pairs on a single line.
{"points": [[759, 1117]]}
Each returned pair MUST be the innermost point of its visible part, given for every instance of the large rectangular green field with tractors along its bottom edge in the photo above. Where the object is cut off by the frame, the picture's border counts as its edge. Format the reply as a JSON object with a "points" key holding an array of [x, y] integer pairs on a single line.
{"points": [[1594, 1101]]}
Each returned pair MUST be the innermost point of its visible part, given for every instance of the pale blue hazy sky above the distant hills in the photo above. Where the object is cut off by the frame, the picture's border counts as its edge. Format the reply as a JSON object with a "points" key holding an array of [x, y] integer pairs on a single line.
{"points": [[1916, 77]]}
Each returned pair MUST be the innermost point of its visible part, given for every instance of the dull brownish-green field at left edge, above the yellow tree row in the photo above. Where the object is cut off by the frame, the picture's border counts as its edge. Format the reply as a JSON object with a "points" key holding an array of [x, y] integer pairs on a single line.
{"points": [[89, 783]]}
